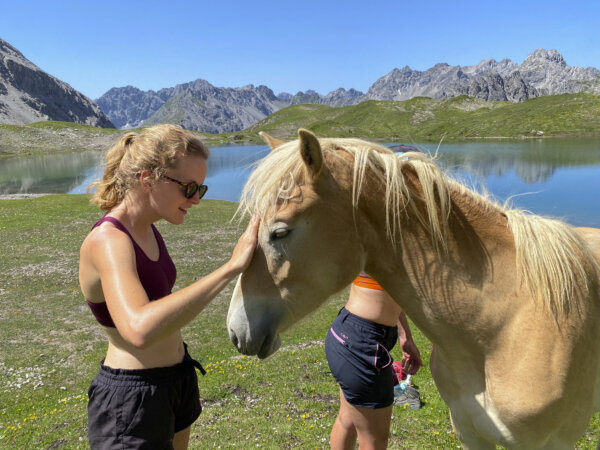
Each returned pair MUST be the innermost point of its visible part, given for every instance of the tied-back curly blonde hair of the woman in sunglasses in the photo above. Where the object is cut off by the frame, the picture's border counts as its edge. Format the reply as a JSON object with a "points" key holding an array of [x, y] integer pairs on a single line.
{"points": [[155, 148]]}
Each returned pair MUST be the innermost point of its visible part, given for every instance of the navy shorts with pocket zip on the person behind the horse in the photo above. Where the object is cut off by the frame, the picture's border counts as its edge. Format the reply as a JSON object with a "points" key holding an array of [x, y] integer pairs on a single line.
{"points": [[358, 353]]}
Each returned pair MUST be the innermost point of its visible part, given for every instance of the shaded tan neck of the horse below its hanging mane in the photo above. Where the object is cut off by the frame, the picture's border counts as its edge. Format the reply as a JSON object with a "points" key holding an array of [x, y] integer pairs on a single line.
{"points": [[440, 291]]}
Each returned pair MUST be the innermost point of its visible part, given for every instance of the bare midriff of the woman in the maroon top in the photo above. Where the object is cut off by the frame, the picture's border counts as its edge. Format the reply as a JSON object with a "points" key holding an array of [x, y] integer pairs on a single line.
{"points": [[165, 352]]}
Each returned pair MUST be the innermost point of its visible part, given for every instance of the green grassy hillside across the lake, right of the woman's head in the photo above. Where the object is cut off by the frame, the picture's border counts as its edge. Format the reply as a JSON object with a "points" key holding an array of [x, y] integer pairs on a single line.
{"points": [[425, 119]]}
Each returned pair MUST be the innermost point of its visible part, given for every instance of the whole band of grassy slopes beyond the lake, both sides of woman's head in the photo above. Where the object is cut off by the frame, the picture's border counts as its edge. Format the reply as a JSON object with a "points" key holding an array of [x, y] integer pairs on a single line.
{"points": [[419, 119]]}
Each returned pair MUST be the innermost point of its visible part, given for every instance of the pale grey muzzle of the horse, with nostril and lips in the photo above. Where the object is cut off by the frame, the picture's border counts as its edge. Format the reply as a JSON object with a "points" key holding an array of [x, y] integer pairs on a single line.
{"points": [[252, 325]]}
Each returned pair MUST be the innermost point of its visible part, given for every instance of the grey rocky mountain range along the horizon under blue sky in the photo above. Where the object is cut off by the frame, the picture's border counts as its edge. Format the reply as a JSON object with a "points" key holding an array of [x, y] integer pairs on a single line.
{"points": [[28, 94]]}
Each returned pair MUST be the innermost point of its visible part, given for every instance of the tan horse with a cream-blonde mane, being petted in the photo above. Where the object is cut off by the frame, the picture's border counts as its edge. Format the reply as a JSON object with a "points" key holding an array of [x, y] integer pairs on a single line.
{"points": [[509, 300]]}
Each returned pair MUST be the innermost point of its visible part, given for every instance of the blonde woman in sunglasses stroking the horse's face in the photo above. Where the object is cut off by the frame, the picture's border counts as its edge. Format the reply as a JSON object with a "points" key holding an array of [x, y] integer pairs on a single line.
{"points": [[146, 392]]}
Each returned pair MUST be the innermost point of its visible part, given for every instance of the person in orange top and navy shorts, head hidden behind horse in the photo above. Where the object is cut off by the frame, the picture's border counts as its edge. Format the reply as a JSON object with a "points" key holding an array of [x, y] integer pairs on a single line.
{"points": [[358, 349]]}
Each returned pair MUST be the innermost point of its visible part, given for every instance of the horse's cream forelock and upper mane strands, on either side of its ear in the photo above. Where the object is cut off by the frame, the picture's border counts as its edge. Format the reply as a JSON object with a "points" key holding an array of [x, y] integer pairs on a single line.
{"points": [[276, 177]]}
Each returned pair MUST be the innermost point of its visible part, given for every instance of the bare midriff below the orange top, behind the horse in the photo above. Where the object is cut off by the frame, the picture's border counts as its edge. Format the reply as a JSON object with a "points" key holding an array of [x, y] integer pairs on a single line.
{"points": [[374, 305]]}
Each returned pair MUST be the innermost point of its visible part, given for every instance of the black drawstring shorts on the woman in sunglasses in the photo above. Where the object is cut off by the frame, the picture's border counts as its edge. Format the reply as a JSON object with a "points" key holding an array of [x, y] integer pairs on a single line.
{"points": [[142, 409]]}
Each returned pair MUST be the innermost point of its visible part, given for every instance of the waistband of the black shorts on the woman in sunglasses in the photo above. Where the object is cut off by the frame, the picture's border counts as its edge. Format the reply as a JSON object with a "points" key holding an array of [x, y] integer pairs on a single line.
{"points": [[139, 377]]}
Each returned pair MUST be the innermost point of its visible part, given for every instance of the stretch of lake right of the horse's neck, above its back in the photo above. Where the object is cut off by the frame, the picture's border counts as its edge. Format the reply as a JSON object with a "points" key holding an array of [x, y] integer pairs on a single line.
{"points": [[554, 178]]}
